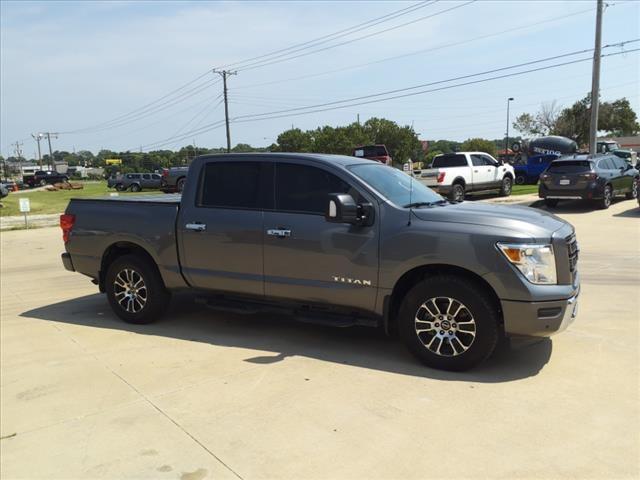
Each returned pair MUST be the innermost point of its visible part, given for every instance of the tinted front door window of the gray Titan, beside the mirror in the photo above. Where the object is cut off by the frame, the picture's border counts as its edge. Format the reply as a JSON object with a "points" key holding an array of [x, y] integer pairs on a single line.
{"points": [[304, 189]]}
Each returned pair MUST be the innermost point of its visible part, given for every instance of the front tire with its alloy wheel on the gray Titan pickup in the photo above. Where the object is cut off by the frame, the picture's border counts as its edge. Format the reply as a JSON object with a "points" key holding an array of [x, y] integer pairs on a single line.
{"points": [[469, 303]]}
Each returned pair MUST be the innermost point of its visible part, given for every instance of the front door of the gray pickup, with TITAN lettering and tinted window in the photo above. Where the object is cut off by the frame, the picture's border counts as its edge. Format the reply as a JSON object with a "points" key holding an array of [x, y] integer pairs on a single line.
{"points": [[308, 259]]}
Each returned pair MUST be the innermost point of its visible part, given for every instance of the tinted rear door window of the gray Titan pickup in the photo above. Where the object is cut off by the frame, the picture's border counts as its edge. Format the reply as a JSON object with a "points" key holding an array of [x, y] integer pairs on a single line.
{"points": [[231, 185]]}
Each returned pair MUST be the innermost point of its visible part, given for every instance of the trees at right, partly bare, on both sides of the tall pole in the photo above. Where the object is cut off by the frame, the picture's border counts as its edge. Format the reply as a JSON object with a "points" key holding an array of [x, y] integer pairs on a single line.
{"points": [[615, 119]]}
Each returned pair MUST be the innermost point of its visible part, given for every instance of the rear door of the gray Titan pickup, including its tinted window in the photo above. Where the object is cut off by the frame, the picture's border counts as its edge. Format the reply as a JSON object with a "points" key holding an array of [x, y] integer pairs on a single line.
{"points": [[221, 229]]}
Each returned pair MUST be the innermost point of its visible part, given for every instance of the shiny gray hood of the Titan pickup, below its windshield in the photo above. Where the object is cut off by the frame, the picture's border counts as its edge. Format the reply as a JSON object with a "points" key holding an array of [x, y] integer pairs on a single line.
{"points": [[522, 220]]}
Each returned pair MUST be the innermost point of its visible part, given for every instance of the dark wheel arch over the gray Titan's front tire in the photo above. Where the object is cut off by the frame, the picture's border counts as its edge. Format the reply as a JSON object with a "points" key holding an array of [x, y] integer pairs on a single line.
{"points": [[417, 274]]}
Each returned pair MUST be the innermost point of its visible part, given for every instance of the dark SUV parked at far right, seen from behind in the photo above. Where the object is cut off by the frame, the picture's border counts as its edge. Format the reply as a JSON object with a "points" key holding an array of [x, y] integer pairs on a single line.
{"points": [[583, 177]]}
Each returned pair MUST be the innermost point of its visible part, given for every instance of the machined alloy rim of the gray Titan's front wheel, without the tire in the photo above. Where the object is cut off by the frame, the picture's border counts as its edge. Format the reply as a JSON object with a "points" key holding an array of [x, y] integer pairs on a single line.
{"points": [[445, 326]]}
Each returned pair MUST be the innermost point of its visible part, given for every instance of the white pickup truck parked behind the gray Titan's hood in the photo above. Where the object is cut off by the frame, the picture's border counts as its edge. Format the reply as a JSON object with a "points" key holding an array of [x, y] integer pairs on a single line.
{"points": [[456, 174]]}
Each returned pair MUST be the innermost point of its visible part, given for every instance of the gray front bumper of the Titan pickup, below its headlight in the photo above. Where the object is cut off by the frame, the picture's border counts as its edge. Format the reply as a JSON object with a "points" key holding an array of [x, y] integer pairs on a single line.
{"points": [[538, 319]]}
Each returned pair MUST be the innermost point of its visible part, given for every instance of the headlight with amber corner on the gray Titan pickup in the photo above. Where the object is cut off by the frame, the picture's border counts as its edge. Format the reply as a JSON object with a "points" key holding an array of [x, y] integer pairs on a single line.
{"points": [[536, 262]]}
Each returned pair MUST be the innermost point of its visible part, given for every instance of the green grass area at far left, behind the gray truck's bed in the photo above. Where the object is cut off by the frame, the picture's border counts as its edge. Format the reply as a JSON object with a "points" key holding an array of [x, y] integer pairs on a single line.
{"points": [[43, 202]]}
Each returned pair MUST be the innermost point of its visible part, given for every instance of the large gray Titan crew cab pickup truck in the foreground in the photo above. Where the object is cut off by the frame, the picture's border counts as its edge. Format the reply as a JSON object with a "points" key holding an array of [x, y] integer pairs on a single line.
{"points": [[336, 240]]}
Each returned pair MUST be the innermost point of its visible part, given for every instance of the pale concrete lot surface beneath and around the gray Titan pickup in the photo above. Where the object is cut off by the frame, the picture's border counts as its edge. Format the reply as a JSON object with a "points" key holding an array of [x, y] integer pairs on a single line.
{"points": [[210, 395]]}
